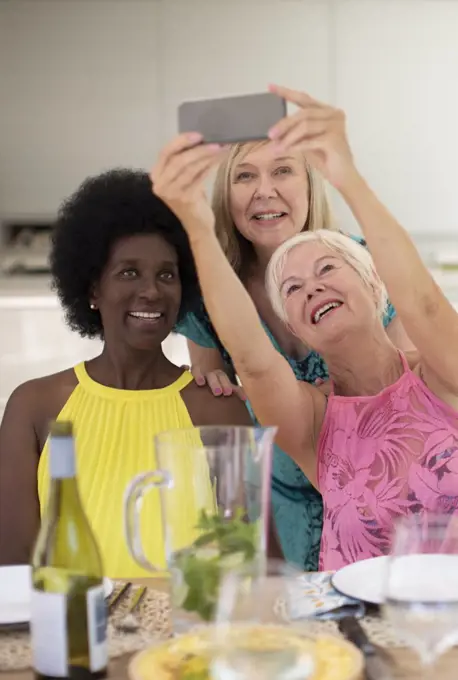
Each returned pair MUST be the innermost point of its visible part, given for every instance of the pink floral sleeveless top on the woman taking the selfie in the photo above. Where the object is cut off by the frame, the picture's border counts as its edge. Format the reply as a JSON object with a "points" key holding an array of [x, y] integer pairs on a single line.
{"points": [[380, 457]]}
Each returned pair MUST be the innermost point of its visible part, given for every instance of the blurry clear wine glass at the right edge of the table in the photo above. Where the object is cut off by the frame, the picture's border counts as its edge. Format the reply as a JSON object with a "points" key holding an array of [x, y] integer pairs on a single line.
{"points": [[421, 593]]}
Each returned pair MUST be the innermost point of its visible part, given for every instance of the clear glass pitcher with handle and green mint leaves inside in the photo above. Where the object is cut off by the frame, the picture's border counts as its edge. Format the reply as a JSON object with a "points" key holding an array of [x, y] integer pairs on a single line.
{"points": [[214, 485]]}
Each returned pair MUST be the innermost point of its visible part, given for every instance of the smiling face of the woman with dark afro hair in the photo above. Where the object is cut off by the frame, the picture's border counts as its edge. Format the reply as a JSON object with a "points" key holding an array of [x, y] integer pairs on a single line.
{"points": [[139, 293]]}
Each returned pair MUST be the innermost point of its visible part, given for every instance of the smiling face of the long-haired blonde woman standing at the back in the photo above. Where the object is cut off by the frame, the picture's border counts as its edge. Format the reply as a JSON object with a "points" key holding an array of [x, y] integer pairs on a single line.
{"points": [[269, 195]]}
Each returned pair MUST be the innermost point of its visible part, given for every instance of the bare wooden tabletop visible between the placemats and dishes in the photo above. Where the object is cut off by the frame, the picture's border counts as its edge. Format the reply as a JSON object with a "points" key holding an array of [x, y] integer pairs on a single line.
{"points": [[404, 663]]}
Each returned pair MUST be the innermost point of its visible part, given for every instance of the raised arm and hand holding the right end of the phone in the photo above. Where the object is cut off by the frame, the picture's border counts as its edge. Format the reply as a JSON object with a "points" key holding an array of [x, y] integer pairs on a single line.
{"points": [[428, 317]]}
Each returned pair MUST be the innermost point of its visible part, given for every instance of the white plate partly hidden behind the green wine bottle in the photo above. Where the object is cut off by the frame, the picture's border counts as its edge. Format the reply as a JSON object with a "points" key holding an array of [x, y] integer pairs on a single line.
{"points": [[15, 589]]}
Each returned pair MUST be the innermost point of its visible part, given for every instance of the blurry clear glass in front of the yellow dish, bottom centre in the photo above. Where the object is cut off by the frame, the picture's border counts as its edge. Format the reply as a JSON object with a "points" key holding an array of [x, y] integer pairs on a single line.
{"points": [[253, 640]]}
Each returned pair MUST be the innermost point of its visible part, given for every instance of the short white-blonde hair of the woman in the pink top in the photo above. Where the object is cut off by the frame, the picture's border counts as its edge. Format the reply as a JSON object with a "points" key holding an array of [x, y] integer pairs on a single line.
{"points": [[352, 252]]}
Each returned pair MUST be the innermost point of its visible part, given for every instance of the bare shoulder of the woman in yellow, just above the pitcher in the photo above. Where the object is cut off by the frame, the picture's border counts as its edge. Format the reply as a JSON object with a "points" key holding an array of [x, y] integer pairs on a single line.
{"points": [[206, 409]]}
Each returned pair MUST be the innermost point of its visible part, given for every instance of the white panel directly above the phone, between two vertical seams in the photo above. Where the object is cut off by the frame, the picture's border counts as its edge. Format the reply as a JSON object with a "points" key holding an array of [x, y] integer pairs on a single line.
{"points": [[240, 47]]}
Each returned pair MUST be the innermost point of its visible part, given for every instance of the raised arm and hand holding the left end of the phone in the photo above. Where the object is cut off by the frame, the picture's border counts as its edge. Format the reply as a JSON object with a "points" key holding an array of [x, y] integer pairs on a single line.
{"points": [[277, 397]]}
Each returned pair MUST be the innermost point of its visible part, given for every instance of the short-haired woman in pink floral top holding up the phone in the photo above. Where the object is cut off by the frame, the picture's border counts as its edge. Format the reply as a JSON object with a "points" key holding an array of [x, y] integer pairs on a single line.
{"points": [[384, 442]]}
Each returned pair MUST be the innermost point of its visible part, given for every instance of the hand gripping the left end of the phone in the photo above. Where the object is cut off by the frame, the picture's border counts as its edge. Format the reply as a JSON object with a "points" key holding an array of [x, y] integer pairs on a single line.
{"points": [[178, 179]]}
